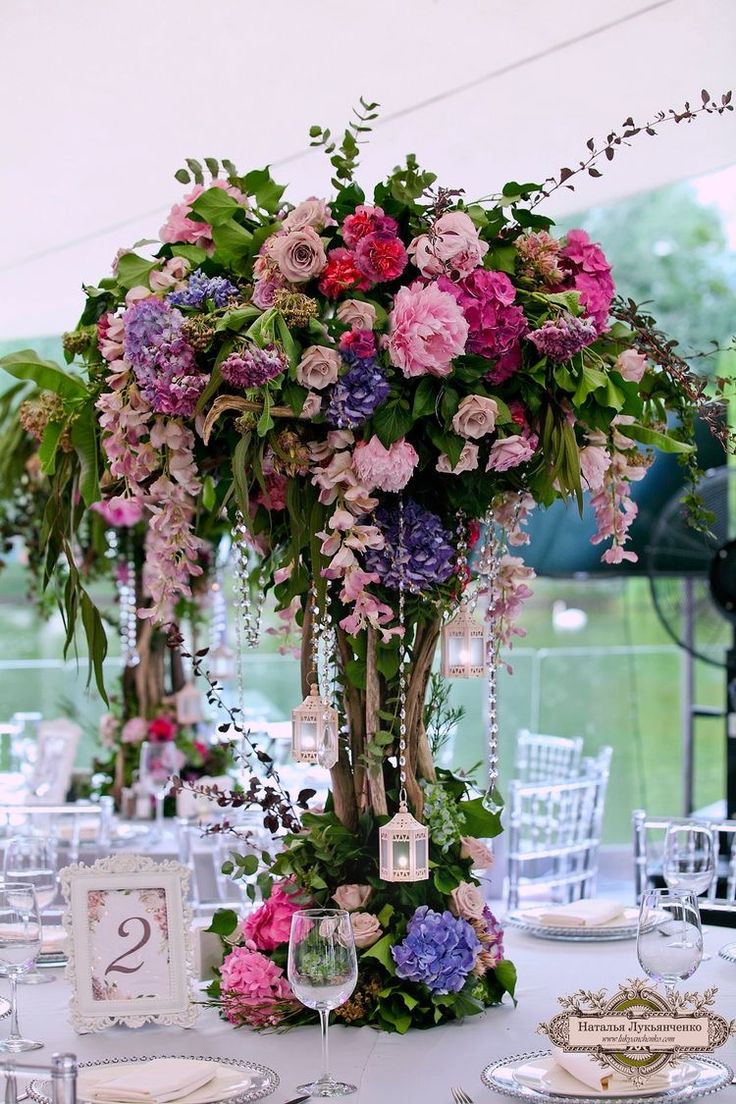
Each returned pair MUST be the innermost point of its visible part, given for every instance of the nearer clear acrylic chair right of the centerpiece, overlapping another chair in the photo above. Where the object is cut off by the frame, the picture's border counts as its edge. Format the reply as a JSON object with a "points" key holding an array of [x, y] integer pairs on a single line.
{"points": [[554, 834]]}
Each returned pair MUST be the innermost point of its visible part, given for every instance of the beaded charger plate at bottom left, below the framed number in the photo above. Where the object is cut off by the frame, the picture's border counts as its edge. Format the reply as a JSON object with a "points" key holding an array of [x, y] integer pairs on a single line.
{"points": [[236, 1082]]}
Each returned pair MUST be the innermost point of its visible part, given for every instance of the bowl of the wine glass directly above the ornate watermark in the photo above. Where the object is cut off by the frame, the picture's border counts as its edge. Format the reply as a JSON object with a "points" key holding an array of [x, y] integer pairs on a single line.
{"points": [[669, 941]]}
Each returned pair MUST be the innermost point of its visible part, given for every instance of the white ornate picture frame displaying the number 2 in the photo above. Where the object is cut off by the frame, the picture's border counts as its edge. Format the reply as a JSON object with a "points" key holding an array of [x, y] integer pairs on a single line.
{"points": [[129, 927]]}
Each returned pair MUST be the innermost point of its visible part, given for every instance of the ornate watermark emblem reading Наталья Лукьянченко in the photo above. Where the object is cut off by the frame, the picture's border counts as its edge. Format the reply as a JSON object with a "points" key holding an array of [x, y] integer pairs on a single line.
{"points": [[638, 1032]]}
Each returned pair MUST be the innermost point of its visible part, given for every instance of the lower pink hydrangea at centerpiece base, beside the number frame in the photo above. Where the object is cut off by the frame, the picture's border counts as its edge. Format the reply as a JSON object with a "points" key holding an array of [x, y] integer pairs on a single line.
{"points": [[254, 989]]}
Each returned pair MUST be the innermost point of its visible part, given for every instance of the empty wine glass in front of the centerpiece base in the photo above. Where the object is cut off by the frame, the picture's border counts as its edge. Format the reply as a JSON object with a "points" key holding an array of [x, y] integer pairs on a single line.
{"points": [[323, 972]]}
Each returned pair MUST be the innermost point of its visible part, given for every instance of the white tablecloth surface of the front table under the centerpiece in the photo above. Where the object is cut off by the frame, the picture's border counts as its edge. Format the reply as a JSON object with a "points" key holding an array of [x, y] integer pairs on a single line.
{"points": [[418, 1068]]}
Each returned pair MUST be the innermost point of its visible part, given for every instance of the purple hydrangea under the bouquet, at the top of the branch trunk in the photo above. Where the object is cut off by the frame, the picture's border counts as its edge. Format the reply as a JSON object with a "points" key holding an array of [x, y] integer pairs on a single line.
{"points": [[429, 556]]}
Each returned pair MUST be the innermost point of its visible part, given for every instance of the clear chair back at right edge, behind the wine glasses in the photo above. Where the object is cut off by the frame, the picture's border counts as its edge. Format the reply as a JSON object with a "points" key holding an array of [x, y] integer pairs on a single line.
{"points": [[649, 835]]}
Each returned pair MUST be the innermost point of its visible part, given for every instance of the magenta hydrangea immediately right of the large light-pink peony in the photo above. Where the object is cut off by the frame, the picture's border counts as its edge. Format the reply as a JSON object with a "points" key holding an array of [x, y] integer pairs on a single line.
{"points": [[487, 299]]}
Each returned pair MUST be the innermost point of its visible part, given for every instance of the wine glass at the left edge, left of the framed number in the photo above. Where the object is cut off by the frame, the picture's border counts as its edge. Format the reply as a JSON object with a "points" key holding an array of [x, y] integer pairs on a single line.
{"points": [[20, 946]]}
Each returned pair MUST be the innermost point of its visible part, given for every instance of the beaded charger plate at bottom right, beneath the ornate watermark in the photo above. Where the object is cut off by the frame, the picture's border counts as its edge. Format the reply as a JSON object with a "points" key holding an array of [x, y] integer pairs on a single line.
{"points": [[710, 1077]]}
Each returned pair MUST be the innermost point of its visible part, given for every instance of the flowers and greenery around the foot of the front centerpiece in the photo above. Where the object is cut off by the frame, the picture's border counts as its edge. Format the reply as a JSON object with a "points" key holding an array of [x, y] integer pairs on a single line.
{"points": [[428, 952]]}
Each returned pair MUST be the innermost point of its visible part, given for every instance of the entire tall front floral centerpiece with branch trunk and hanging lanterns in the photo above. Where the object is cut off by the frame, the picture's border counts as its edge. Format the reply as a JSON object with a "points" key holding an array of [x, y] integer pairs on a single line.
{"points": [[367, 395]]}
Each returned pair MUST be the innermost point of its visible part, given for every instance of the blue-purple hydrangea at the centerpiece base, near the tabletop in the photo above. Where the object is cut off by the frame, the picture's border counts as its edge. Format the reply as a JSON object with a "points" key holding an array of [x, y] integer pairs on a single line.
{"points": [[440, 950]]}
